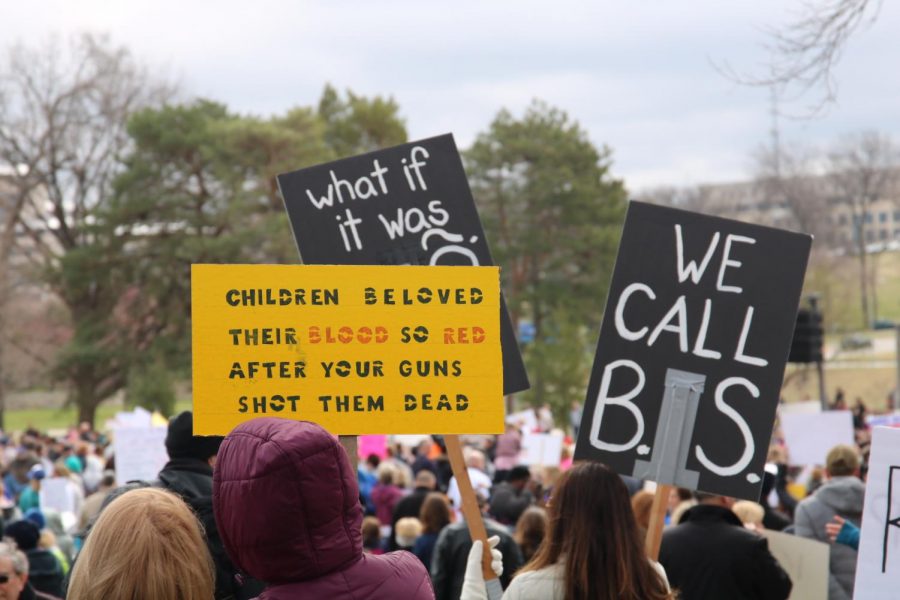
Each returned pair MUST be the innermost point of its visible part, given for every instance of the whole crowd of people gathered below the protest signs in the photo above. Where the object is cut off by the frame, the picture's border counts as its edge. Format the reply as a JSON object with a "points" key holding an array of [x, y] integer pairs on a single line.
{"points": [[276, 510]]}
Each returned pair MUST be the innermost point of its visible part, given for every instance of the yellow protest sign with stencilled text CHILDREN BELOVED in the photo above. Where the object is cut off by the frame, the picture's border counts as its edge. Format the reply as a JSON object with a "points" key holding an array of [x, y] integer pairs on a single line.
{"points": [[357, 349]]}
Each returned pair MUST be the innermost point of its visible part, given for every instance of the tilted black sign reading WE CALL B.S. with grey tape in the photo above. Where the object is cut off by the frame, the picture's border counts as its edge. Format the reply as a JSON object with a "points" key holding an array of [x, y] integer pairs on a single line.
{"points": [[692, 350]]}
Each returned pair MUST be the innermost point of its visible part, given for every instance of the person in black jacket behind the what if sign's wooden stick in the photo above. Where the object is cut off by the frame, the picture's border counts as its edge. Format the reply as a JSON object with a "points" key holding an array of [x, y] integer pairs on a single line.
{"points": [[451, 550]]}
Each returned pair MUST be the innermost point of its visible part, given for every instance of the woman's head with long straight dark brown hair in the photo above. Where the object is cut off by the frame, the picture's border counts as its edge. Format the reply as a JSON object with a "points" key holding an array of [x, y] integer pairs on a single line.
{"points": [[593, 527]]}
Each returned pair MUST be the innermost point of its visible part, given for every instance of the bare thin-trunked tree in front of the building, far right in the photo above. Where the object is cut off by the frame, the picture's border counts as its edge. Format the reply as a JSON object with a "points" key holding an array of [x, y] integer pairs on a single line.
{"points": [[862, 171]]}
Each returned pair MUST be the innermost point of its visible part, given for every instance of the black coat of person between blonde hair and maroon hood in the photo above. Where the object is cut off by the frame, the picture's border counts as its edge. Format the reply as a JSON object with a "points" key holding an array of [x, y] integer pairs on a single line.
{"points": [[191, 479]]}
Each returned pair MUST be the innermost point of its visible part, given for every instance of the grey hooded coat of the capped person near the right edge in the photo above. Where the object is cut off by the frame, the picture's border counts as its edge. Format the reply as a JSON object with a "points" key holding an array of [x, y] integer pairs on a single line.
{"points": [[838, 496]]}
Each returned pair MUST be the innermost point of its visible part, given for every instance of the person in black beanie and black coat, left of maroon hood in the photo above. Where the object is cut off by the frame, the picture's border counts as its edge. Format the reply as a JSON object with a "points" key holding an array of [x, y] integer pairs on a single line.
{"points": [[189, 474]]}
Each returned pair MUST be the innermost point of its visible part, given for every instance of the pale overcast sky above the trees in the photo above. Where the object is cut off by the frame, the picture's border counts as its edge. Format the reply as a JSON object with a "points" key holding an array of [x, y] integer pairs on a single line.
{"points": [[638, 75]]}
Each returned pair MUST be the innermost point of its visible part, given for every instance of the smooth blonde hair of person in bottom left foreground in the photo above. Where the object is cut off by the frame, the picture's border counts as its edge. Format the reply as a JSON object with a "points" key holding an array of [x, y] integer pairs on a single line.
{"points": [[147, 544]]}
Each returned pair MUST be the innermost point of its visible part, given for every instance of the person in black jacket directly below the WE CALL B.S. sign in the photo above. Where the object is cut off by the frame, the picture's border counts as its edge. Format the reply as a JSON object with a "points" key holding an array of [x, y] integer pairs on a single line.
{"points": [[711, 555]]}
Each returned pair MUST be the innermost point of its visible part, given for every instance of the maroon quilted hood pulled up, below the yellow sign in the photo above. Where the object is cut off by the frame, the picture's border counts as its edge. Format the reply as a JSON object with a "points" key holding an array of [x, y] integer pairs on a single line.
{"points": [[286, 501]]}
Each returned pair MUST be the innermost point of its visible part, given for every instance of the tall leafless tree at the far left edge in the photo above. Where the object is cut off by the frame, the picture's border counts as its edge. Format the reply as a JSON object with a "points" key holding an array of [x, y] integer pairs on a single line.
{"points": [[63, 114]]}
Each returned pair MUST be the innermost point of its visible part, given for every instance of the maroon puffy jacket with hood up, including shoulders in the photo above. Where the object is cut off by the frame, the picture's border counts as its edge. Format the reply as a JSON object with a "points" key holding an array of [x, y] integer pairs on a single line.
{"points": [[287, 506]]}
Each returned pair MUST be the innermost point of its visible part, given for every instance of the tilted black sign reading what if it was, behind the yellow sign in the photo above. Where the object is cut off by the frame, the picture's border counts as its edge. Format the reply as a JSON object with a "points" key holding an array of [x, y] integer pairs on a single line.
{"points": [[406, 205]]}
